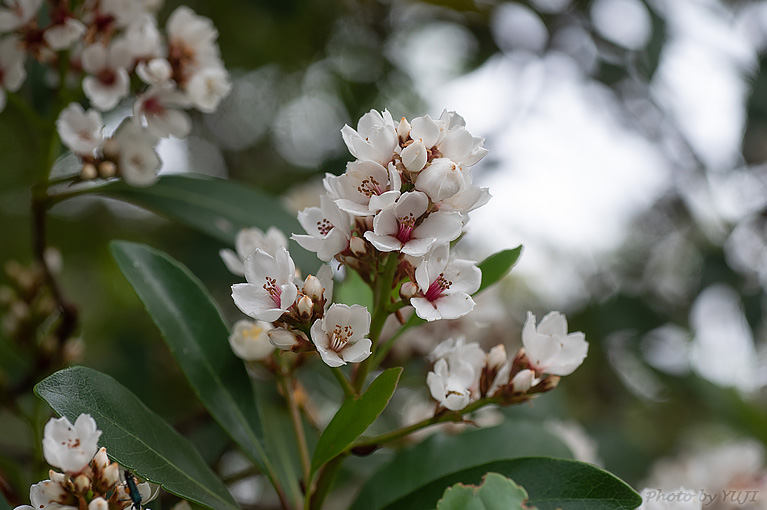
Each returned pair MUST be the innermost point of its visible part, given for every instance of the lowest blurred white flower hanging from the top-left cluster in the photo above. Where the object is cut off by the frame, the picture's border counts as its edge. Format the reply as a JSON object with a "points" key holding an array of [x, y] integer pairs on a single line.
{"points": [[138, 160]]}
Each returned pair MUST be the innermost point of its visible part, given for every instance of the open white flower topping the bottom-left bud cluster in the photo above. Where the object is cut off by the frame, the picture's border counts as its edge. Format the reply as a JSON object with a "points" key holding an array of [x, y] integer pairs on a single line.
{"points": [[70, 447]]}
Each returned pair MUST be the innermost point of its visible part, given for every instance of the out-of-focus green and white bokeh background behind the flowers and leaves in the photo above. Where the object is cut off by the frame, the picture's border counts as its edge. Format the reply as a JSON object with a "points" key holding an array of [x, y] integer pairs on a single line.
{"points": [[627, 140]]}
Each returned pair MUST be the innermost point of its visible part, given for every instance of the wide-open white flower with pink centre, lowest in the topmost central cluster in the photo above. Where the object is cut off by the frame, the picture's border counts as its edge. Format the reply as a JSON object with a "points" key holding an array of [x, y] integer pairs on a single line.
{"points": [[401, 227]]}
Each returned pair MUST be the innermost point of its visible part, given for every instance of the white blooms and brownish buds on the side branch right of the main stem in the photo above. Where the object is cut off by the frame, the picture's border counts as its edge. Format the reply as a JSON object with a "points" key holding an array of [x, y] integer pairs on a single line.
{"points": [[464, 373]]}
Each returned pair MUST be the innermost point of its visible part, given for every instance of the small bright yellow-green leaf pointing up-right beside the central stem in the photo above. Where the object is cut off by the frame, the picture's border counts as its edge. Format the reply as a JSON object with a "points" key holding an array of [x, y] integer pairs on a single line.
{"points": [[355, 416]]}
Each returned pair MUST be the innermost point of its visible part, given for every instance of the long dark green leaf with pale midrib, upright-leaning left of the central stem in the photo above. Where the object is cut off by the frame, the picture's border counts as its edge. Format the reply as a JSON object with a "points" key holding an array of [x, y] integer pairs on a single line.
{"points": [[198, 339]]}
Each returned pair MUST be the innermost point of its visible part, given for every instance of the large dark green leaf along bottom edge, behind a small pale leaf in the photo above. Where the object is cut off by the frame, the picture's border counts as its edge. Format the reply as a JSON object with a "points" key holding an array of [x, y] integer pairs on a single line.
{"points": [[551, 484]]}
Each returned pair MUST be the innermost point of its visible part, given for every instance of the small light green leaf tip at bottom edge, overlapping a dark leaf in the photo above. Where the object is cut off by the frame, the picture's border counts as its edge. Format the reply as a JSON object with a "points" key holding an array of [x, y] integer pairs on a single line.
{"points": [[496, 493]]}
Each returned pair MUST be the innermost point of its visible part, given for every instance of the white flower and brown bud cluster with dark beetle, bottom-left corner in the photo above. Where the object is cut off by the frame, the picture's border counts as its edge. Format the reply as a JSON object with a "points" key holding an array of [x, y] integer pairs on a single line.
{"points": [[89, 479]]}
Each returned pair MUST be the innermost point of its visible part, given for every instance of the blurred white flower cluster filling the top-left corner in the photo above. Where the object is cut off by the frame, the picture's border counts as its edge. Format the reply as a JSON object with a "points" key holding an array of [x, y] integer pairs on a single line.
{"points": [[116, 50]]}
